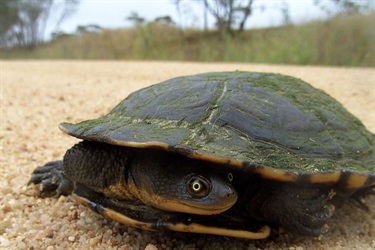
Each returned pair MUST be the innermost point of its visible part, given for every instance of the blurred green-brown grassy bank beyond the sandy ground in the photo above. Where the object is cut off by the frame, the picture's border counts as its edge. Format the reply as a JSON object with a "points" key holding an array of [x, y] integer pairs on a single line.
{"points": [[342, 41]]}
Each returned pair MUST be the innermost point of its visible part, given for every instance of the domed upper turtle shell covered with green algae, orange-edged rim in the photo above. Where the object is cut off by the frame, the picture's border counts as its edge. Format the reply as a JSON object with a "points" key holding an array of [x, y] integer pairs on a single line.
{"points": [[274, 125]]}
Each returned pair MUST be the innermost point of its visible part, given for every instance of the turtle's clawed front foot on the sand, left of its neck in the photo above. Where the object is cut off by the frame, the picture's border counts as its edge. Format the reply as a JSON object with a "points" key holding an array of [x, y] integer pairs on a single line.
{"points": [[51, 179]]}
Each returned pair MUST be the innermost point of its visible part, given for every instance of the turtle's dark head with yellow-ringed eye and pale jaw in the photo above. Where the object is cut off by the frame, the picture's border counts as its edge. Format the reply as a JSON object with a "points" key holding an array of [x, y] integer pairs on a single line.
{"points": [[175, 183]]}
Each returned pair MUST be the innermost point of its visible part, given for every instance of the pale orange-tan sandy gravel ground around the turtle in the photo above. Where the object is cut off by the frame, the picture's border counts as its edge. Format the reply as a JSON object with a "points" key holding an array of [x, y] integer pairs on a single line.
{"points": [[37, 96]]}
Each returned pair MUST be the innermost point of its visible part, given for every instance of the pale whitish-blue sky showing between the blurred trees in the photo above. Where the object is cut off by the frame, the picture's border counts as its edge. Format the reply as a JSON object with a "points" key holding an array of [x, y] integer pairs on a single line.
{"points": [[113, 13]]}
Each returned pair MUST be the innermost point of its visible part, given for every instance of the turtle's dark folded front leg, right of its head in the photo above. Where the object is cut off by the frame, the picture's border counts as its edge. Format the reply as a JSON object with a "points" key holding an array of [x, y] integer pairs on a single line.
{"points": [[300, 210]]}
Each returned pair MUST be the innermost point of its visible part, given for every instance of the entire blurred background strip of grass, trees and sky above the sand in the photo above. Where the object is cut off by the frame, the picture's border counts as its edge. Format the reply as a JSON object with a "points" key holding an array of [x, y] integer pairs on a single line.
{"points": [[314, 32]]}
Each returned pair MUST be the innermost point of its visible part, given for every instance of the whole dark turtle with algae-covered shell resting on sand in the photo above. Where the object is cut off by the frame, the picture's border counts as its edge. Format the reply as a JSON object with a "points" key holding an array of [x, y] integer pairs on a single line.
{"points": [[237, 154]]}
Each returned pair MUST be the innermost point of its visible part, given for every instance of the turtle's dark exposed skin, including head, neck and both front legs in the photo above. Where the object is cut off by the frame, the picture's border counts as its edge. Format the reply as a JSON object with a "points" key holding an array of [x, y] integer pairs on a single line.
{"points": [[136, 175]]}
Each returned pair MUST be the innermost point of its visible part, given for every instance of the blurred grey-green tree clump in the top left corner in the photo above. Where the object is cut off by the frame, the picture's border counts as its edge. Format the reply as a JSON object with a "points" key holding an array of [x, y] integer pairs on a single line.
{"points": [[23, 22]]}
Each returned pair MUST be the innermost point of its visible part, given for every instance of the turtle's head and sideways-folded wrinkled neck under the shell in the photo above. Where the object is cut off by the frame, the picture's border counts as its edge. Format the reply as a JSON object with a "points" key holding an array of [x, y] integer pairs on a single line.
{"points": [[129, 174]]}
